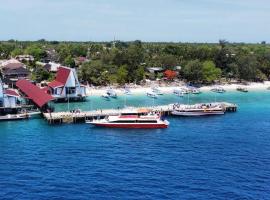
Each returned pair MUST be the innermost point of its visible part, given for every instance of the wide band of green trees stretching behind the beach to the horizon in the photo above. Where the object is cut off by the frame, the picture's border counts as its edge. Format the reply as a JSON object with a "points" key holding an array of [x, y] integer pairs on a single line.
{"points": [[125, 62]]}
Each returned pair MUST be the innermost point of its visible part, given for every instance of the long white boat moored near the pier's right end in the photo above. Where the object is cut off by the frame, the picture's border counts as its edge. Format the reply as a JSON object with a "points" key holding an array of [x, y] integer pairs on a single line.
{"points": [[198, 110]]}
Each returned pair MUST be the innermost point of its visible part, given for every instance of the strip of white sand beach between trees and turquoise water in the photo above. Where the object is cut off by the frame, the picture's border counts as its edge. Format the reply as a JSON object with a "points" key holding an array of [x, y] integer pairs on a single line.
{"points": [[169, 89]]}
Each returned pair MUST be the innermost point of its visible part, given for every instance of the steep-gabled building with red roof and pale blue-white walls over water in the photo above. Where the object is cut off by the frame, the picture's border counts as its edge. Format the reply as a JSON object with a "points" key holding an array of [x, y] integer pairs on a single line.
{"points": [[66, 86]]}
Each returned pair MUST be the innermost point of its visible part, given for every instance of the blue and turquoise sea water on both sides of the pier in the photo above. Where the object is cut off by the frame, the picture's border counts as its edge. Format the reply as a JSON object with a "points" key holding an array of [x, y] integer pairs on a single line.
{"points": [[221, 157]]}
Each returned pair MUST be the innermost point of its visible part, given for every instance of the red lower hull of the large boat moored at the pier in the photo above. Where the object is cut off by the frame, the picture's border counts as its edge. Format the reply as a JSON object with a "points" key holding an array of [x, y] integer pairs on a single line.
{"points": [[130, 125]]}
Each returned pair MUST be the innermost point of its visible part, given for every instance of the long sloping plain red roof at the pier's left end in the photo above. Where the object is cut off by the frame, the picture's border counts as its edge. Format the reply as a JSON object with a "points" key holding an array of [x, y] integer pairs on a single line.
{"points": [[31, 91]]}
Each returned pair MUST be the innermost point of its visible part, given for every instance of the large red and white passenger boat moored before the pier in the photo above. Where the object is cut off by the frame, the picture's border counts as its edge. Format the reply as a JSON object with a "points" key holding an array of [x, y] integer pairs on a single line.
{"points": [[132, 120]]}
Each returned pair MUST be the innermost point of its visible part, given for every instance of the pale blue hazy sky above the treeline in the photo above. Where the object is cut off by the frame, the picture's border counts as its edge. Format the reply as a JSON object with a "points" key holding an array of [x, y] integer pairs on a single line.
{"points": [[126, 20]]}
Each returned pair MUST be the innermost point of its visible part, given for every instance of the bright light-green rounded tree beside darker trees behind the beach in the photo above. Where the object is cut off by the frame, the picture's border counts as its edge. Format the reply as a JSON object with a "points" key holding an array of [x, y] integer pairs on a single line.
{"points": [[210, 72]]}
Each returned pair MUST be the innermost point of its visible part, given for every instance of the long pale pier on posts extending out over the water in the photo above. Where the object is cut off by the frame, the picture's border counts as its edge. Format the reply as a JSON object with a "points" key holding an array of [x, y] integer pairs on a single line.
{"points": [[81, 117]]}
